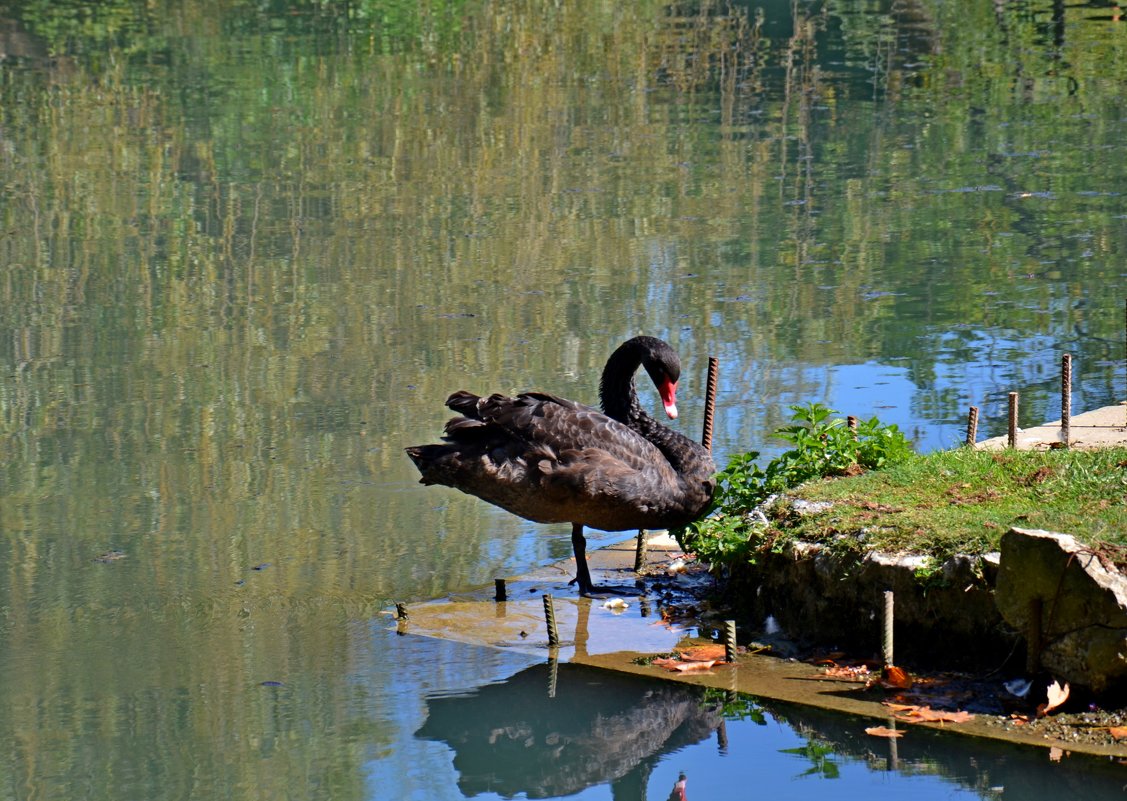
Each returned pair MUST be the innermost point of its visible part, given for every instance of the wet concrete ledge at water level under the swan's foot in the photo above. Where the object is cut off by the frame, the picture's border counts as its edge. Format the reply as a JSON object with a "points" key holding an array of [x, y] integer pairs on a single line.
{"points": [[670, 613]]}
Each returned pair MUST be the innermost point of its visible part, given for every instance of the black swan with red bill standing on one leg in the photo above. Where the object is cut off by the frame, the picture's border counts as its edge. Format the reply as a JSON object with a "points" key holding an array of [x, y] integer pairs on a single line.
{"points": [[552, 460]]}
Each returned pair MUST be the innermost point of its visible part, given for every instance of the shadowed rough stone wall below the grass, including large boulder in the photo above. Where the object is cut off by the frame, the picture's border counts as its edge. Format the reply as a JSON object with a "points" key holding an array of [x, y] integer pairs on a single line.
{"points": [[978, 612]]}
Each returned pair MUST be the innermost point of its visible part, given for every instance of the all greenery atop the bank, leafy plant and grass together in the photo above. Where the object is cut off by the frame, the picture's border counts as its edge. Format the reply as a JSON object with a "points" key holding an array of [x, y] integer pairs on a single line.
{"points": [[884, 497]]}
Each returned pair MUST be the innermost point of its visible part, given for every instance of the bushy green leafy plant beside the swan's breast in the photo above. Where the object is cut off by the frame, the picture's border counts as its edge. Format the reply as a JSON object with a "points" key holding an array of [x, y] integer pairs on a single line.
{"points": [[823, 447]]}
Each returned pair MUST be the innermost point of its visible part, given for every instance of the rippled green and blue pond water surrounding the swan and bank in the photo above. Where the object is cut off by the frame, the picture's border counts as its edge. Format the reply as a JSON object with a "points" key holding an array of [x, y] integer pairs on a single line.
{"points": [[247, 250]]}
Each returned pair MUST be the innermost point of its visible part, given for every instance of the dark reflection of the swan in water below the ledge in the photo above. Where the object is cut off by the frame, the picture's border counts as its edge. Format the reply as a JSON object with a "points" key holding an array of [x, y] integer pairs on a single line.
{"points": [[555, 731]]}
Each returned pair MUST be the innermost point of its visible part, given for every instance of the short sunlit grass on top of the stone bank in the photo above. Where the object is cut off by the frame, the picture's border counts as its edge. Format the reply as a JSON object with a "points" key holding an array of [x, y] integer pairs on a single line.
{"points": [[963, 501]]}
